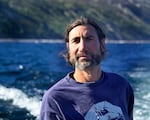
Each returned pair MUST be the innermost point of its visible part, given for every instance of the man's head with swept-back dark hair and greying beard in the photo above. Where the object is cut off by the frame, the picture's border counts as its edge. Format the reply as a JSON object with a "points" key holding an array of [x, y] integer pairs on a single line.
{"points": [[85, 43]]}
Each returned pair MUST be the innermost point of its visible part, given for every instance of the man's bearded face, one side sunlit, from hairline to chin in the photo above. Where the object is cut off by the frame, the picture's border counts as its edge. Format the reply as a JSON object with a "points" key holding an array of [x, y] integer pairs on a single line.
{"points": [[84, 47]]}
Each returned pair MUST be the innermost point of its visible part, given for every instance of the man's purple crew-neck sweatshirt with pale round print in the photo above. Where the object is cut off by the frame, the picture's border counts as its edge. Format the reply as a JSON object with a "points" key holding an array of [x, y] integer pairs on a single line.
{"points": [[110, 98]]}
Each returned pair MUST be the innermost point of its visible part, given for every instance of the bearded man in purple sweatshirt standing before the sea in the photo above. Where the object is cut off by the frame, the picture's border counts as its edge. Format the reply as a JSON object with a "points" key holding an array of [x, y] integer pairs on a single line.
{"points": [[88, 93]]}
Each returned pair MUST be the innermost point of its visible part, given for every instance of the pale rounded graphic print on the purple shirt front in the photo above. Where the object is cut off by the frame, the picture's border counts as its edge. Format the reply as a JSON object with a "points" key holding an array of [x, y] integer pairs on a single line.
{"points": [[104, 111]]}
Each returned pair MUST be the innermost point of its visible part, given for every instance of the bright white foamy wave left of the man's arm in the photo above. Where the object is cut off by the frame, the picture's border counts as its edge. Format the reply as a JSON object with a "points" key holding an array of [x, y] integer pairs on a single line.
{"points": [[21, 100]]}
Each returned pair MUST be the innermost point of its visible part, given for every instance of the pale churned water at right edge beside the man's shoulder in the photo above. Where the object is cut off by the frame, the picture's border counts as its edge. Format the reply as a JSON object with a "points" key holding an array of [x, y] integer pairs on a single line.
{"points": [[142, 99]]}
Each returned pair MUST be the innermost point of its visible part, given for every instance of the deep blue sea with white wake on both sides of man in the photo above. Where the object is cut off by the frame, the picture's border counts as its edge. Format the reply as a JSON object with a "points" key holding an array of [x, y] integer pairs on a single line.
{"points": [[28, 69]]}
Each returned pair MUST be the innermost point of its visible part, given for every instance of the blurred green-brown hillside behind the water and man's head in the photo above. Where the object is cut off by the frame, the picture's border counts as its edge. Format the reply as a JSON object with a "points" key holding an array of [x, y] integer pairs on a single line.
{"points": [[47, 19]]}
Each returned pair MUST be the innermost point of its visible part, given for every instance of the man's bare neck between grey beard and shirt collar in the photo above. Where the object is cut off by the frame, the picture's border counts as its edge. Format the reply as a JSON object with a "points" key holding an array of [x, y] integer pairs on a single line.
{"points": [[90, 75]]}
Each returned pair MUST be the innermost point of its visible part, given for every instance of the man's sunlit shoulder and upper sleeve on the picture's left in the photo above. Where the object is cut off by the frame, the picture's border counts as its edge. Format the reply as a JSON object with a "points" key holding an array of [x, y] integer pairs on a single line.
{"points": [[50, 105]]}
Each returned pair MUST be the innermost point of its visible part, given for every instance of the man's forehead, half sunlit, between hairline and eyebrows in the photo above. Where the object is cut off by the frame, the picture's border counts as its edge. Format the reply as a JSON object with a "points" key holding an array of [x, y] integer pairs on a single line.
{"points": [[83, 30]]}
